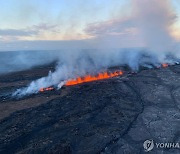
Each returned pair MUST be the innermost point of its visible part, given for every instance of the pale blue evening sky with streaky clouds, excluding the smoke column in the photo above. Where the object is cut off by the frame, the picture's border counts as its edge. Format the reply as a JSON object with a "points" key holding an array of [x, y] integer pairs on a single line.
{"points": [[37, 23]]}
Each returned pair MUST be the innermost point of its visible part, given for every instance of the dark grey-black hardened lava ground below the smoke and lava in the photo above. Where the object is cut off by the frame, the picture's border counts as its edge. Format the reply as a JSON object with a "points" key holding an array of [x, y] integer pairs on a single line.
{"points": [[109, 116]]}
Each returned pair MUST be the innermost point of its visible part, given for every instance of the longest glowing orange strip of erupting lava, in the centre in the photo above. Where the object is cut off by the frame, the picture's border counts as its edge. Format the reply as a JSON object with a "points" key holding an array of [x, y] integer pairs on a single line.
{"points": [[90, 78]]}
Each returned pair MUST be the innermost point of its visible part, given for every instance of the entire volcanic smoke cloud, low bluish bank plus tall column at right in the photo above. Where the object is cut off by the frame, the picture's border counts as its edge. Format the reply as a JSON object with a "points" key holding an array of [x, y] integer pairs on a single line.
{"points": [[151, 18]]}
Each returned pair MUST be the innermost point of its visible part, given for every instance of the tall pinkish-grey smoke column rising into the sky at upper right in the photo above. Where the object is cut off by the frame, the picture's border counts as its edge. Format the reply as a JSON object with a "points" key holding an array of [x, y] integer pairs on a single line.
{"points": [[154, 19]]}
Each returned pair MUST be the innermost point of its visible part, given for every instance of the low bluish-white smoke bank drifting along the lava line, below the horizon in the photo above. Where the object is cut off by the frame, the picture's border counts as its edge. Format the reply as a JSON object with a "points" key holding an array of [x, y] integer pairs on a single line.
{"points": [[92, 62]]}
